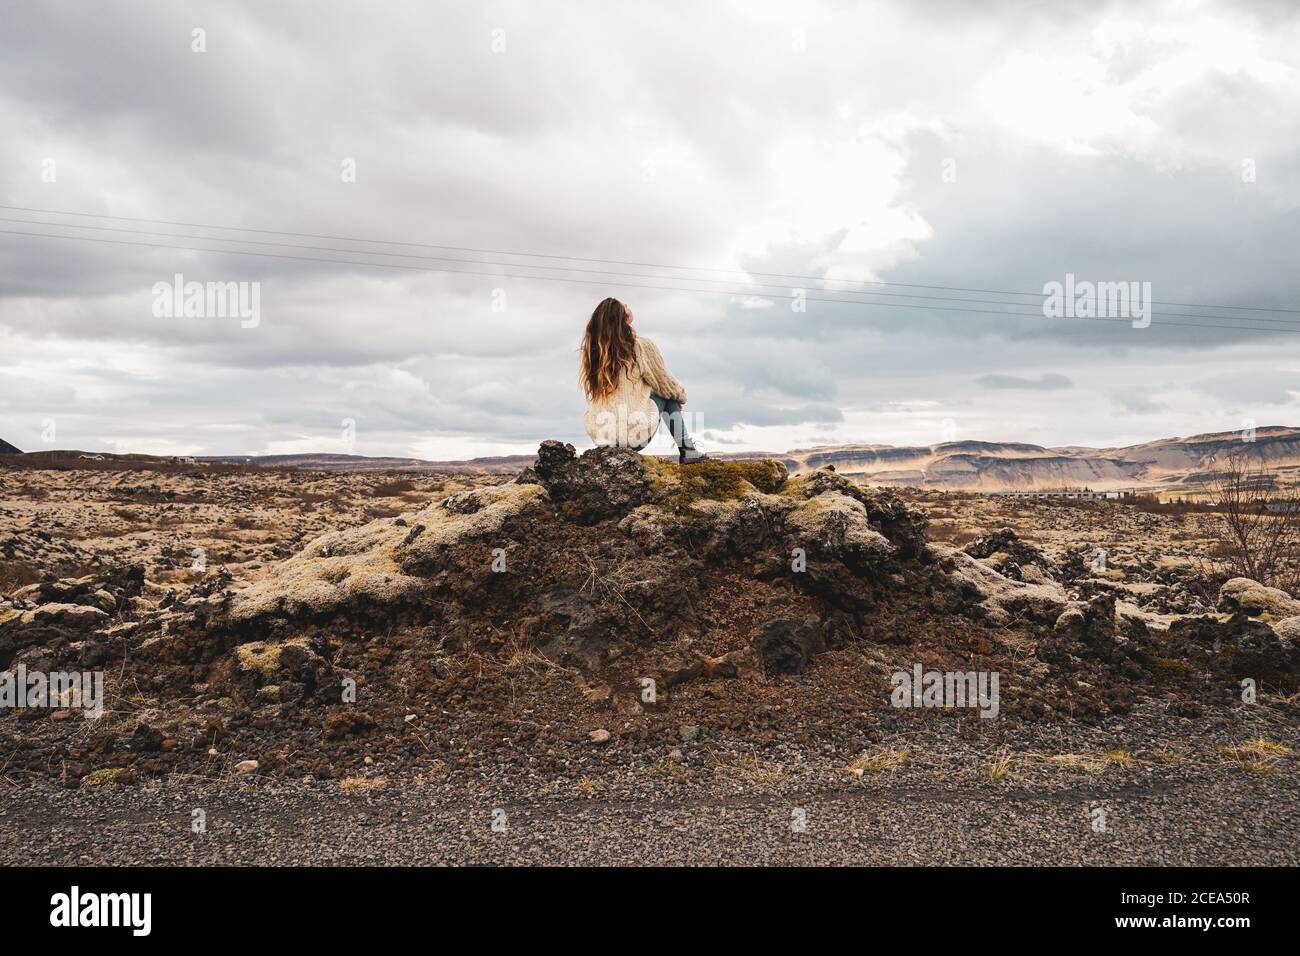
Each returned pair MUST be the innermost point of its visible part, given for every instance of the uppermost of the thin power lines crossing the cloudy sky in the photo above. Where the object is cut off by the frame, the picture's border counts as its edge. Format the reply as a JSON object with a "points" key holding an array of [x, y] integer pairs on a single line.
{"points": [[605, 262]]}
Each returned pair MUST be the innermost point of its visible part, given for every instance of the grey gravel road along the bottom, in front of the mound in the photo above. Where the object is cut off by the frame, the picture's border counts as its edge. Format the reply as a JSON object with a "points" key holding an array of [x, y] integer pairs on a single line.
{"points": [[1227, 820]]}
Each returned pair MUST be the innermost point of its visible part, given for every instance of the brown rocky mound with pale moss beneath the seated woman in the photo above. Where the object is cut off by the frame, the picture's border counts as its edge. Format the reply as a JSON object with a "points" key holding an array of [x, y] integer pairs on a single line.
{"points": [[608, 585]]}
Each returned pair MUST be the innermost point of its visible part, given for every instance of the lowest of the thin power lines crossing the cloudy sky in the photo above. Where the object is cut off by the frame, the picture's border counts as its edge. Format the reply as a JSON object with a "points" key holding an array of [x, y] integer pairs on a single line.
{"points": [[603, 283]]}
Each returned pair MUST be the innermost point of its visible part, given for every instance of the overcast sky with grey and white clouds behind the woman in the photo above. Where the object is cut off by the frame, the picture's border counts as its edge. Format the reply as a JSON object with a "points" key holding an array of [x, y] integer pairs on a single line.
{"points": [[765, 148]]}
